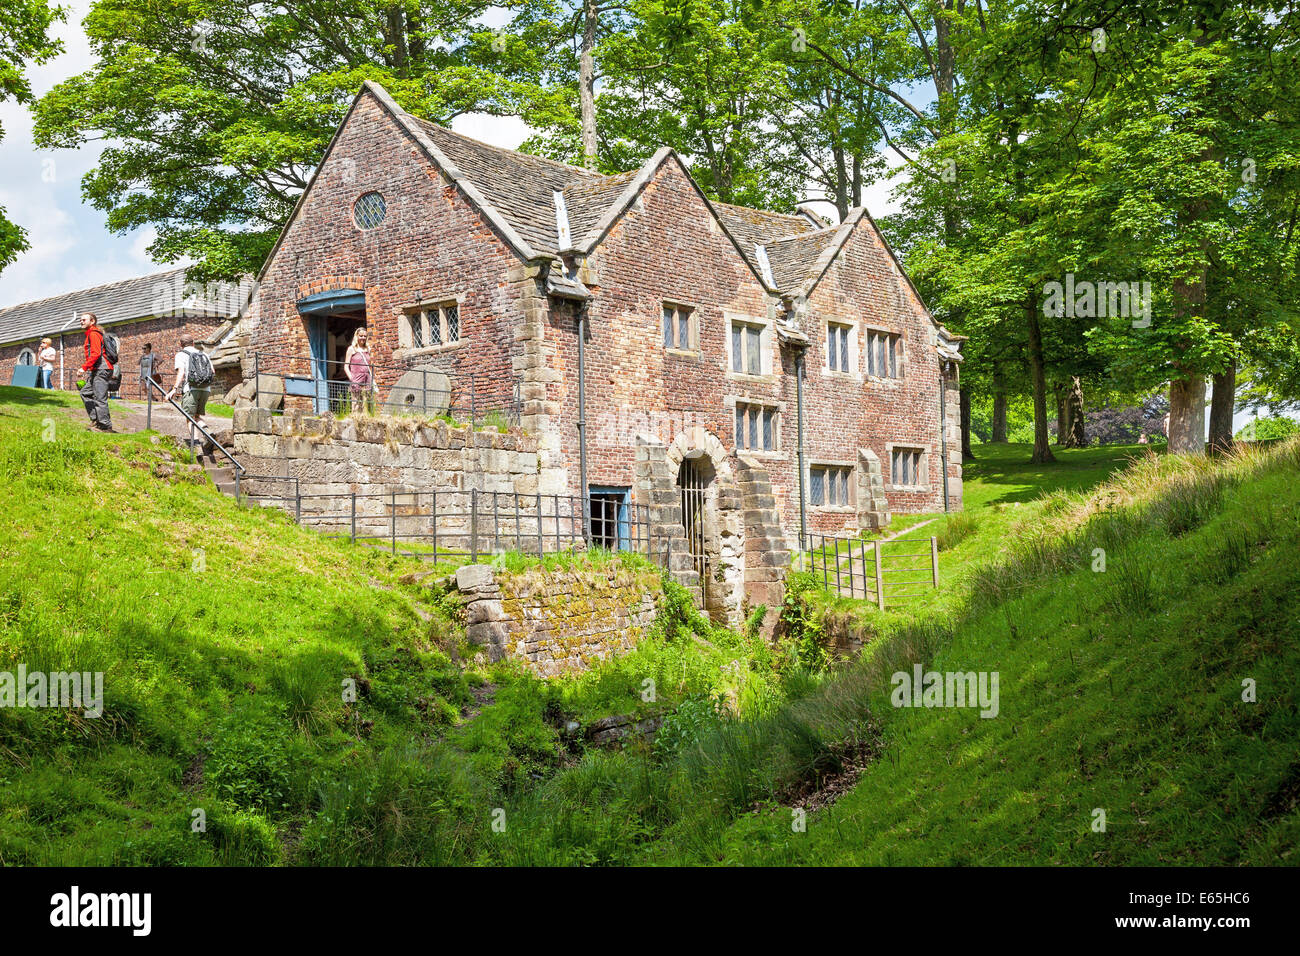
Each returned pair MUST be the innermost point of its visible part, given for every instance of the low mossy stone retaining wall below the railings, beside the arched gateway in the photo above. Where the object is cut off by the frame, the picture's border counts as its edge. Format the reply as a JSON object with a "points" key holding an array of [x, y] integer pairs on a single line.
{"points": [[558, 621]]}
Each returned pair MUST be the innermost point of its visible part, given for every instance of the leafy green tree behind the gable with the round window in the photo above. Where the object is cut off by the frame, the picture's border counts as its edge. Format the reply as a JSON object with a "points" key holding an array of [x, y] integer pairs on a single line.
{"points": [[219, 111]]}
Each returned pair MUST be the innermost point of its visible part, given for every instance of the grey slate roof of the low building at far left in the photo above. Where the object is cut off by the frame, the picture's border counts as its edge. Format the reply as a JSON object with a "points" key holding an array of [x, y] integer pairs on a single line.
{"points": [[115, 302]]}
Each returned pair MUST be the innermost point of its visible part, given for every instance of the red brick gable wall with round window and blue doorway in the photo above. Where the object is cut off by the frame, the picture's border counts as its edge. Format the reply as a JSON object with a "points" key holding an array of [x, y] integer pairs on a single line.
{"points": [[432, 246]]}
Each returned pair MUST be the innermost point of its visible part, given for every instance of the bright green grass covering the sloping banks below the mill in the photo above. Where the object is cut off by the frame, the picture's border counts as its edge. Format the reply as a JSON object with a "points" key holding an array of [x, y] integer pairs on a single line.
{"points": [[226, 637]]}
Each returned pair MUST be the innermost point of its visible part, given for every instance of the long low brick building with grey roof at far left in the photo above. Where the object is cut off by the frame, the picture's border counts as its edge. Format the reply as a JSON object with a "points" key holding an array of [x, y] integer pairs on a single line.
{"points": [[155, 310]]}
